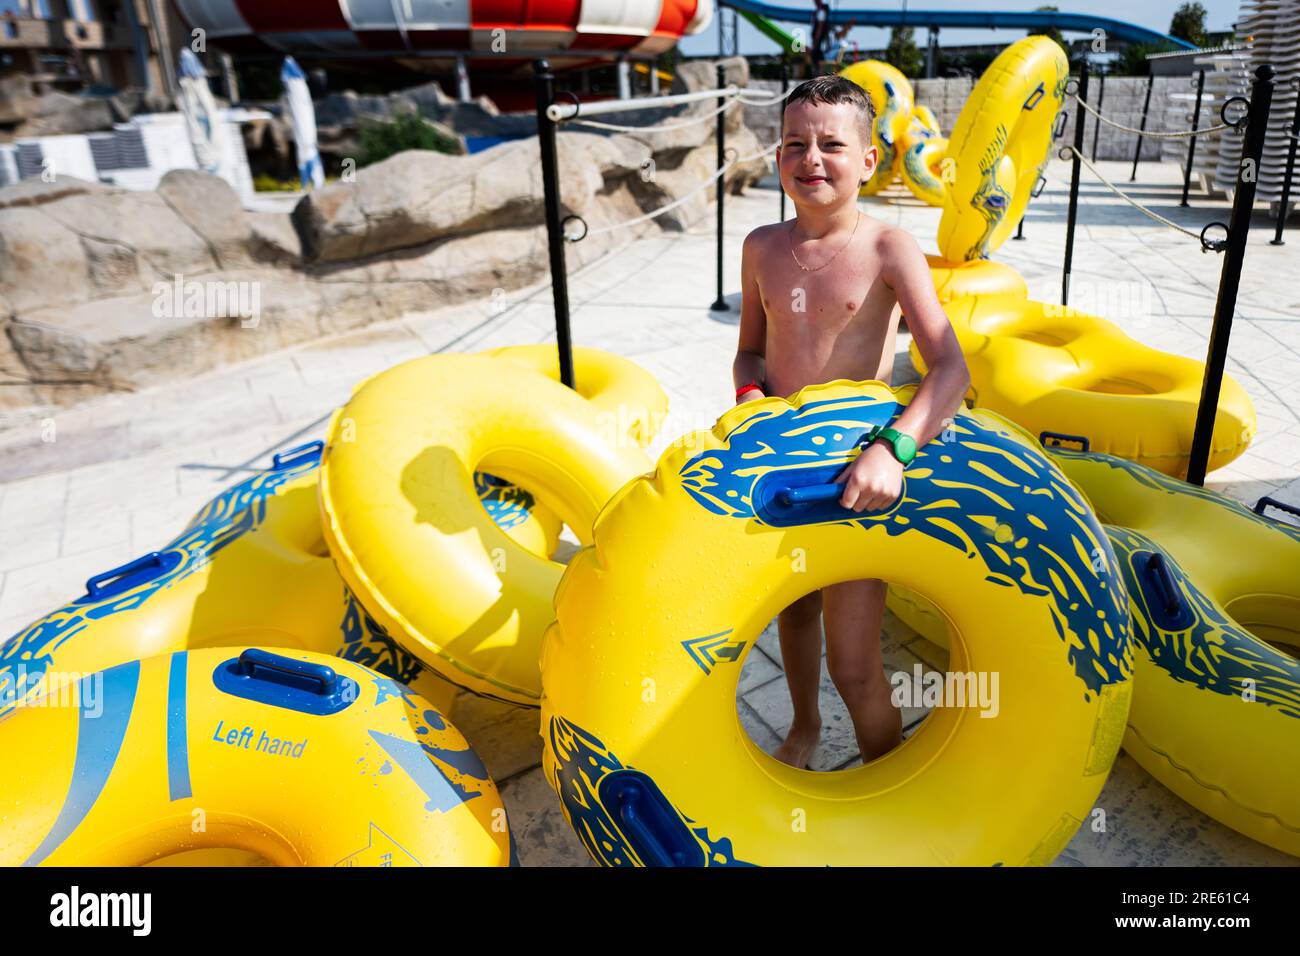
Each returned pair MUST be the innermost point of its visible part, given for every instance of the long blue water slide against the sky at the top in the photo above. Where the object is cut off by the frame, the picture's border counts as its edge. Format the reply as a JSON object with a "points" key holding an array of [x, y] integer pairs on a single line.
{"points": [[766, 16]]}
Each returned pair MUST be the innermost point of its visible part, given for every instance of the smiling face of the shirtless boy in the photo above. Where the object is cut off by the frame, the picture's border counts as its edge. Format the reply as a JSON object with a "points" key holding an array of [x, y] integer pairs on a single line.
{"points": [[825, 155]]}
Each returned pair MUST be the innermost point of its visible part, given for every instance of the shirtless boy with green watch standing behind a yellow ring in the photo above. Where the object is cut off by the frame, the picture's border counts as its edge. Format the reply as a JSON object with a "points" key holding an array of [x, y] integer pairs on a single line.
{"points": [[821, 301]]}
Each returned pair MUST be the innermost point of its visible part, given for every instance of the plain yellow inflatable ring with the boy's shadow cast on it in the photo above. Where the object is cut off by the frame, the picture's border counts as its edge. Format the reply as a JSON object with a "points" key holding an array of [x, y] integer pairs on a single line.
{"points": [[406, 527]]}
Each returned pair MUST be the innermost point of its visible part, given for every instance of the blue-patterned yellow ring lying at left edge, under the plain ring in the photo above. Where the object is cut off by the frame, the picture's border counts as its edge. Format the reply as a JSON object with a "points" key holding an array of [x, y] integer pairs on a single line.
{"points": [[250, 568]]}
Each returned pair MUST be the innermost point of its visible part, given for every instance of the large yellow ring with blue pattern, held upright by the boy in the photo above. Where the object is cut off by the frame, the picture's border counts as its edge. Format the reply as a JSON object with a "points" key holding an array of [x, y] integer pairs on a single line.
{"points": [[643, 742]]}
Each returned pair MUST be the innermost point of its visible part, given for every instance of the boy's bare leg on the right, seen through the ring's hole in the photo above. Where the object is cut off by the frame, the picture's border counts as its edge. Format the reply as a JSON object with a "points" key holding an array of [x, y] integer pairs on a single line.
{"points": [[853, 616]]}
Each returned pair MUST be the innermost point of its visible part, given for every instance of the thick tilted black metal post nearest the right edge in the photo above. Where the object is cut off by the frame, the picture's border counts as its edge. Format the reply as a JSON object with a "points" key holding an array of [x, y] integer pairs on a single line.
{"points": [[1238, 230]]}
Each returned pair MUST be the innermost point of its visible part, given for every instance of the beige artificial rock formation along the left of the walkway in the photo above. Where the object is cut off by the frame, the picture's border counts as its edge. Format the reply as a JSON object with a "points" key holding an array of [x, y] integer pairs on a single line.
{"points": [[105, 289]]}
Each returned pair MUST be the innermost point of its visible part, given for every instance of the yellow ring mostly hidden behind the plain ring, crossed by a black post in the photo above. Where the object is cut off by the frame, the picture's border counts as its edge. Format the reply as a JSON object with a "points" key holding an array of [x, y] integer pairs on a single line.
{"points": [[626, 395]]}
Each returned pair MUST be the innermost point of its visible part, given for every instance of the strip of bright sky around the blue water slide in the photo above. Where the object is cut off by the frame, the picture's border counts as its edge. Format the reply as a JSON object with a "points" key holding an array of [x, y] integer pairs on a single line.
{"points": [[1220, 15]]}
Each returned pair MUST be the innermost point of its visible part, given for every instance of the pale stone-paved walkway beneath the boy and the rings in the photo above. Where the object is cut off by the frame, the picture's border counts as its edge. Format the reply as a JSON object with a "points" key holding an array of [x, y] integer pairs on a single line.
{"points": [[123, 475]]}
